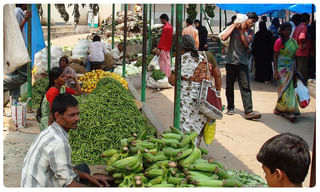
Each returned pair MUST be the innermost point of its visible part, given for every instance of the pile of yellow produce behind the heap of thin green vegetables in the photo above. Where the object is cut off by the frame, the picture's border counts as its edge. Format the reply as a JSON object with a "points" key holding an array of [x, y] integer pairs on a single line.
{"points": [[90, 80]]}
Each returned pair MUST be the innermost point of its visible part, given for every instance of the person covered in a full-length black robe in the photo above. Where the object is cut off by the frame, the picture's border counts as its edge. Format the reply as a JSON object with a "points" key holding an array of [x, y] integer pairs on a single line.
{"points": [[262, 51]]}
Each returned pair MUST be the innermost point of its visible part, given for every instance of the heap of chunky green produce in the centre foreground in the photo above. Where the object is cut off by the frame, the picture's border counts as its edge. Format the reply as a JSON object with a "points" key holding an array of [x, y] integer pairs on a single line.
{"points": [[172, 161]]}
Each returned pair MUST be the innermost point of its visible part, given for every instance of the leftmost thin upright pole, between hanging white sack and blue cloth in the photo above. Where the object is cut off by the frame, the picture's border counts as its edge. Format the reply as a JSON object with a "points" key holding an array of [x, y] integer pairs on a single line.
{"points": [[29, 75]]}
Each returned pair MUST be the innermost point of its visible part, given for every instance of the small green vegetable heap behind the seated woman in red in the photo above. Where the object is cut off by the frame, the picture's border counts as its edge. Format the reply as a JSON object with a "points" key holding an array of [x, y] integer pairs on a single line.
{"points": [[38, 90]]}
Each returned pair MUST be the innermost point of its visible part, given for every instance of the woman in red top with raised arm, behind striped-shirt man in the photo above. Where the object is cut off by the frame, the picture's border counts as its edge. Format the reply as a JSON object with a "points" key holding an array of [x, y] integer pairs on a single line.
{"points": [[57, 81]]}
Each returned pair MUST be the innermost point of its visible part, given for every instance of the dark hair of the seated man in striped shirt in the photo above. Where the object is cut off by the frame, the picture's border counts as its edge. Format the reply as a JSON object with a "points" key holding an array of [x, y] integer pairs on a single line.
{"points": [[61, 102]]}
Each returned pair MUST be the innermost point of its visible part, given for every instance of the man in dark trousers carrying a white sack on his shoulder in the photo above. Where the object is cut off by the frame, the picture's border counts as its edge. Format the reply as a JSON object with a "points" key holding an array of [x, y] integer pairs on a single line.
{"points": [[237, 68]]}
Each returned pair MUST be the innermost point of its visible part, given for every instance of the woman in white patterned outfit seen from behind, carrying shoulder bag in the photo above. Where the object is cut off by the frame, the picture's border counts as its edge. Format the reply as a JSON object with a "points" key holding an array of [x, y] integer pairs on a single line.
{"points": [[191, 119]]}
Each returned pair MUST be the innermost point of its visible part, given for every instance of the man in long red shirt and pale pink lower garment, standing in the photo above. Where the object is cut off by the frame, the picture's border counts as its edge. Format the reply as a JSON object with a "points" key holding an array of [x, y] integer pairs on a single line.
{"points": [[164, 46]]}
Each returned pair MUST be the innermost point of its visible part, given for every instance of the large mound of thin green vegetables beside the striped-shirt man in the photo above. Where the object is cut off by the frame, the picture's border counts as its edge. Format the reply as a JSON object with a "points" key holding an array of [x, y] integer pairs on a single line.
{"points": [[107, 115]]}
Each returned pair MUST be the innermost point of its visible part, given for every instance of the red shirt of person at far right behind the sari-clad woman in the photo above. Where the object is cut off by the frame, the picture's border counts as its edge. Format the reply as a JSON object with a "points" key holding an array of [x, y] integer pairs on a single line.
{"points": [[300, 35]]}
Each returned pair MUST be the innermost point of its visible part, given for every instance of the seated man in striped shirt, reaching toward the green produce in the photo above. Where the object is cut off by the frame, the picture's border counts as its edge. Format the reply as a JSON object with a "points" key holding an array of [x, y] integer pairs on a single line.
{"points": [[48, 161]]}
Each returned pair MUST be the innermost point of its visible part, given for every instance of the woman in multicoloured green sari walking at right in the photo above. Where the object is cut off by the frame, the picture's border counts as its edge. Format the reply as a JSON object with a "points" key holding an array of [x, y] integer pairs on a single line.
{"points": [[284, 71]]}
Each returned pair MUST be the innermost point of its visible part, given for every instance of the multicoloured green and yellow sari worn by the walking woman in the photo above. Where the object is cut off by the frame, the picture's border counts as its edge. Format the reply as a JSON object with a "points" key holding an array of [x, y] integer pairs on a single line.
{"points": [[287, 100]]}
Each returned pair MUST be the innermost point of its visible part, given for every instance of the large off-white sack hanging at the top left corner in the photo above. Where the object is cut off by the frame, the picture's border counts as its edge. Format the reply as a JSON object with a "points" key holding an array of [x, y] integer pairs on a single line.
{"points": [[15, 50]]}
